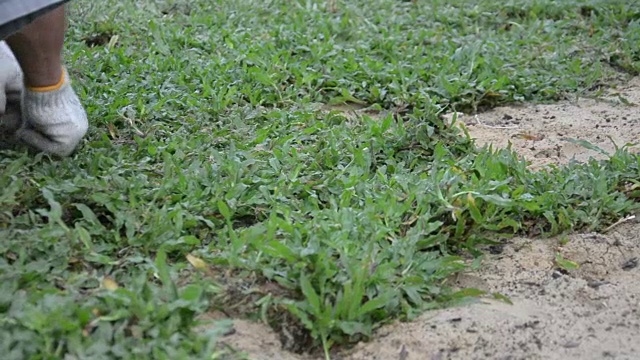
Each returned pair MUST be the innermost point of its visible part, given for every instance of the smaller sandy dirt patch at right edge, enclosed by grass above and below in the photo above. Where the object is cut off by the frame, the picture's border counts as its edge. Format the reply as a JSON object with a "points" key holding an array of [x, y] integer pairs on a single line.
{"points": [[542, 133]]}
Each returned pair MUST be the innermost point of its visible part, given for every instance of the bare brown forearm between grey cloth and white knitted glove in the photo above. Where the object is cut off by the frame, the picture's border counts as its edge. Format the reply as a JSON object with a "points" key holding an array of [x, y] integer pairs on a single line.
{"points": [[38, 48]]}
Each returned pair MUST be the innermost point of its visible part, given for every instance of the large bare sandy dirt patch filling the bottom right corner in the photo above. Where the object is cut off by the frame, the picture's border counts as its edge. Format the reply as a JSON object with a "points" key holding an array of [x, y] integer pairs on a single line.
{"points": [[589, 313]]}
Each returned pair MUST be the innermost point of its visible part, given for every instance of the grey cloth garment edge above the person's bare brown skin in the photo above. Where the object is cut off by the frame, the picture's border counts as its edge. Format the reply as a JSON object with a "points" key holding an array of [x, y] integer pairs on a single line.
{"points": [[15, 14]]}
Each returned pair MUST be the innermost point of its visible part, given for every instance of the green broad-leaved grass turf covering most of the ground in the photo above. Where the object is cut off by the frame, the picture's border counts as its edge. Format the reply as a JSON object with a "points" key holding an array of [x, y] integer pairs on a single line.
{"points": [[208, 141]]}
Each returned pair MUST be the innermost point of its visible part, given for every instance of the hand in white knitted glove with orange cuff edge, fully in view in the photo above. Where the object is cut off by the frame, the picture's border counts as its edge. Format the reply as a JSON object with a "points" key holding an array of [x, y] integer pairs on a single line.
{"points": [[53, 119]]}
